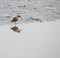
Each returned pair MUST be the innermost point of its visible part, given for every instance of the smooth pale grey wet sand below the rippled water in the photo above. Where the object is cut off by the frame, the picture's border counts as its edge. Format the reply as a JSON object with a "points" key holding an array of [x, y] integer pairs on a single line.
{"points": [[36, 40]]}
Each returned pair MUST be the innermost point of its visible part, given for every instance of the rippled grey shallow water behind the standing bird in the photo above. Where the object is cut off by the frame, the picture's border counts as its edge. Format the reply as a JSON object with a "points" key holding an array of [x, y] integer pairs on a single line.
{"points": [[45, 10]]}
